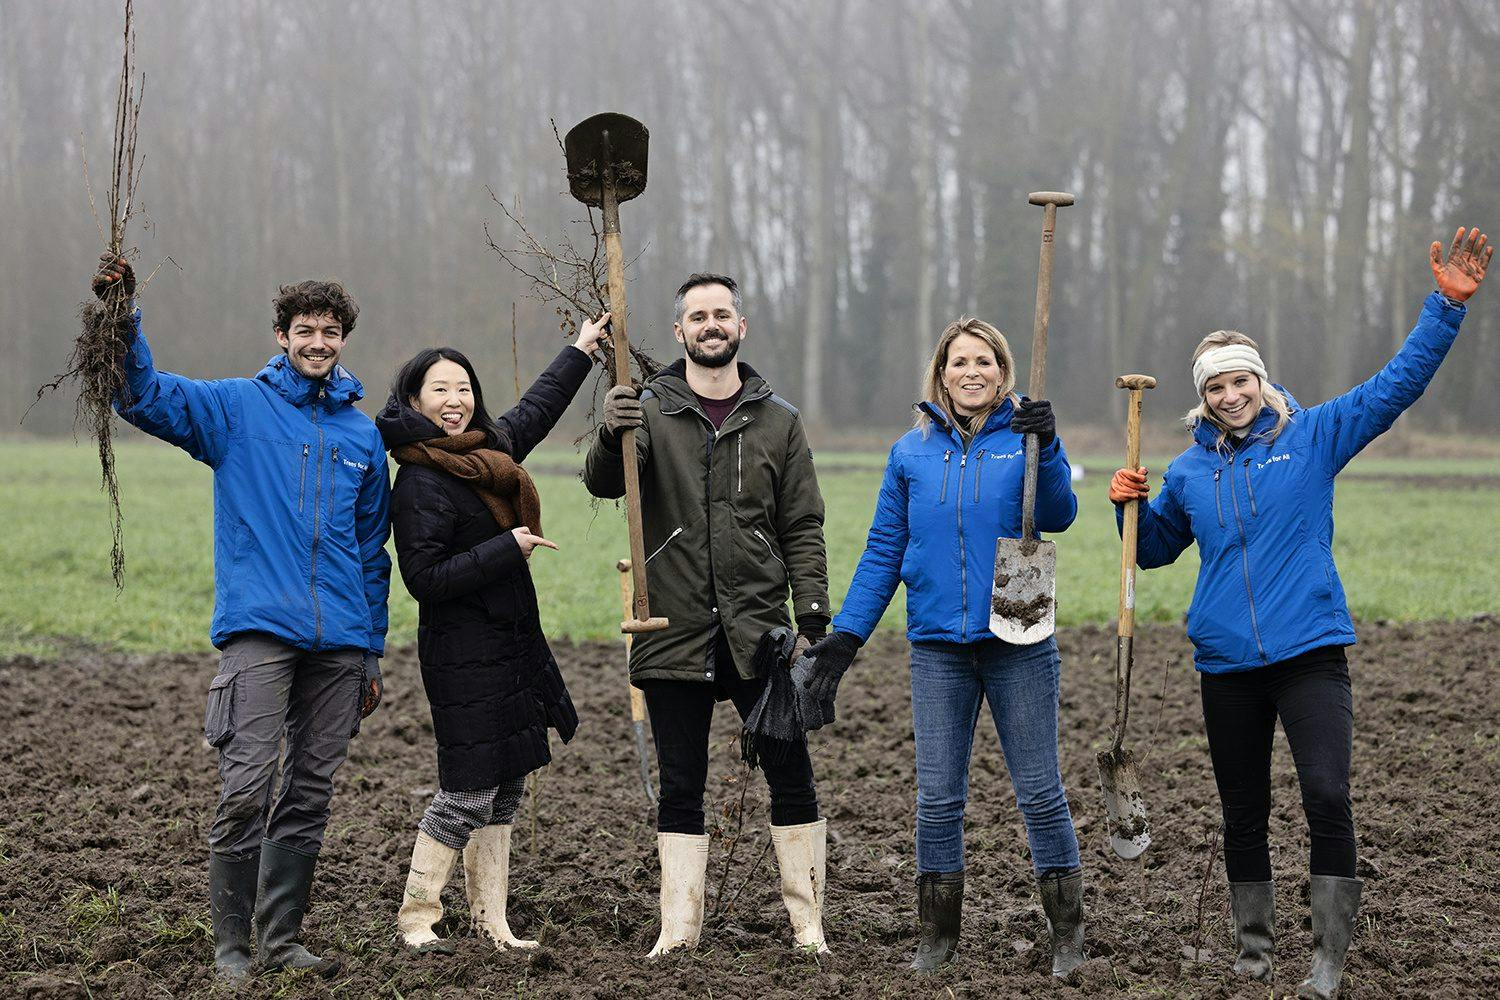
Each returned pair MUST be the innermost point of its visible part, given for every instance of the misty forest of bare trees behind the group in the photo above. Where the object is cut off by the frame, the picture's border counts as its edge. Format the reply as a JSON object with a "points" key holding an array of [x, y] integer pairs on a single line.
{"points": [[1271, 166]]}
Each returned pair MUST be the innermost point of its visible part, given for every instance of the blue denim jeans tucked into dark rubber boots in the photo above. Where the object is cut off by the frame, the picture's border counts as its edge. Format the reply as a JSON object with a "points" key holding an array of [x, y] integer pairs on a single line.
{"points": [[1021, 684]]}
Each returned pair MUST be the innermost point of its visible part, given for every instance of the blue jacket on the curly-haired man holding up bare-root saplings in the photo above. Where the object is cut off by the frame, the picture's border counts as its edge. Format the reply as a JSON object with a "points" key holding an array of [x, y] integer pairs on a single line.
{"points": [[301, 497]]}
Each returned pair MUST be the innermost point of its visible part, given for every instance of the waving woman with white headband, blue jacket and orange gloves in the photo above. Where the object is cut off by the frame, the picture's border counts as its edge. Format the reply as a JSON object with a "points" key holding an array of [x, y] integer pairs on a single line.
{"points": [[1268, 618]]}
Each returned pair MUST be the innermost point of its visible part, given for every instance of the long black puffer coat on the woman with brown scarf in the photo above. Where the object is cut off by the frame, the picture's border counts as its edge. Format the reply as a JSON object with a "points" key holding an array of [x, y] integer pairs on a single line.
{"points": [[490, 675]]}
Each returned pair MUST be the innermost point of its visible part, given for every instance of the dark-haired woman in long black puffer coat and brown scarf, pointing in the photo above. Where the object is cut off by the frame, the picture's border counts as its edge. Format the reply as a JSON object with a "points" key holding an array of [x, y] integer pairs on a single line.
{"points": [[467, 518]]}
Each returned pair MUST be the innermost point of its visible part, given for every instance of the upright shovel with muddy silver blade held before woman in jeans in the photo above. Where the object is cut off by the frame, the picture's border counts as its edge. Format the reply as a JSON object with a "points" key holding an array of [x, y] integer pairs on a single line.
{"points": [[1024, 606]]}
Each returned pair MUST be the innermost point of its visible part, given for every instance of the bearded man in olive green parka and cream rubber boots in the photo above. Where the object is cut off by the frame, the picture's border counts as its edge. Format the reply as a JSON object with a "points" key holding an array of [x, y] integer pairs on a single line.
{"points": [[733, 521]]}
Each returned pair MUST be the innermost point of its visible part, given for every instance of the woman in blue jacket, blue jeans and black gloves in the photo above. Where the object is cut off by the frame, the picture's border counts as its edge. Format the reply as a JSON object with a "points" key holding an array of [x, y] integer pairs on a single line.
{"points": [[953, 485]]}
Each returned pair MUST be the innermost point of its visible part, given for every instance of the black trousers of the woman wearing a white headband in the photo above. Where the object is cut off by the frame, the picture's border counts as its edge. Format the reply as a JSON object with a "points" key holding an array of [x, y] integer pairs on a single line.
{"points": [[1310, 693]]}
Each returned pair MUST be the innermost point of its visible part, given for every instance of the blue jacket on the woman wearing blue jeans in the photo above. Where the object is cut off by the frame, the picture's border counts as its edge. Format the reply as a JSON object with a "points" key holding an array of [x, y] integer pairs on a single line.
{"points": [[940, 512]]}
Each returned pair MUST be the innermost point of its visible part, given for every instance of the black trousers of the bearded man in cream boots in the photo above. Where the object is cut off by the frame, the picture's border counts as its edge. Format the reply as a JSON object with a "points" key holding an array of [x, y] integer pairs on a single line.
{"points": [[682, 713]]}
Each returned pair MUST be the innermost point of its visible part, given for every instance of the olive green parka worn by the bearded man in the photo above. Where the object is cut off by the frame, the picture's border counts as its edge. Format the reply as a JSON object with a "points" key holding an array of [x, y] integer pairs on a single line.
{"points": [[733, 519]]}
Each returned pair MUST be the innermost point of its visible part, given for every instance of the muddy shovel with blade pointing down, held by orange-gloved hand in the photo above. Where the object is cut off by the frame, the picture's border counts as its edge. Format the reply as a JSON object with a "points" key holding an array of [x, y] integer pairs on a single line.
{"points": [[1130, 831]]}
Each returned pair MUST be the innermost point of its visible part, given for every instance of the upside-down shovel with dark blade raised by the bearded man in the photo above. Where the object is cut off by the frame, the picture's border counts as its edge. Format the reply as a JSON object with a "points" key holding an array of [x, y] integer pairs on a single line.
{"points": [[607, 164]]}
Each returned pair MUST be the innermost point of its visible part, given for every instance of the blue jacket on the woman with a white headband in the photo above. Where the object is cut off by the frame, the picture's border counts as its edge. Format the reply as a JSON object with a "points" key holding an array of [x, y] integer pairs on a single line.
{"points": [[1264, 513]]}
